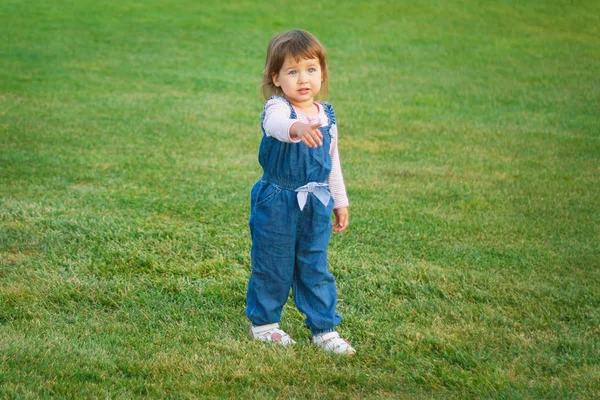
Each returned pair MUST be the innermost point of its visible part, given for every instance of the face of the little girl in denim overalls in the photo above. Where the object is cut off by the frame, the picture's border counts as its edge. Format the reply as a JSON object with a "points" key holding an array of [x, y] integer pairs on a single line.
{"points": [[300, 81]]}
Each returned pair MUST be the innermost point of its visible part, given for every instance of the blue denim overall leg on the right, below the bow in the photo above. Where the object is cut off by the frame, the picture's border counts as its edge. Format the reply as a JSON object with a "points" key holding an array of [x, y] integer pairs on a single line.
{"points": [[314, 286]]}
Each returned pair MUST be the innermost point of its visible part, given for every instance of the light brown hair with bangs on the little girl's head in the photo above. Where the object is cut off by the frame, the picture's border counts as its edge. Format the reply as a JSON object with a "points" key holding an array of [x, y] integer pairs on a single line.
{"points": [[300, 45]]}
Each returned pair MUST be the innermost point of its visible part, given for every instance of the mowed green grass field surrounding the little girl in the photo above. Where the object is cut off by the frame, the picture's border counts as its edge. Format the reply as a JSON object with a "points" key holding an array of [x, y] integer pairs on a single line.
{"points": [[470, 142]]}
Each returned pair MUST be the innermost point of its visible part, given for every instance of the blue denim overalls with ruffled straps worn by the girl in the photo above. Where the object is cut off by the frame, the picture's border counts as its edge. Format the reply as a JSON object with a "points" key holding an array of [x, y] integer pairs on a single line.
{"points": [[290, 224]]}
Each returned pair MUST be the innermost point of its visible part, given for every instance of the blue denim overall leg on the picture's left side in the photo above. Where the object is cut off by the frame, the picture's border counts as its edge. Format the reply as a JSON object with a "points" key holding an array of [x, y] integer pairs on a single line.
{"points": [[272, 257]]}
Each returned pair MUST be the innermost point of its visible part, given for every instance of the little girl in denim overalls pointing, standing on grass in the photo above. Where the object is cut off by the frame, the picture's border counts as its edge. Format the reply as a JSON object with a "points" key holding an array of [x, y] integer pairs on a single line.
{"points": [[292, 203]]}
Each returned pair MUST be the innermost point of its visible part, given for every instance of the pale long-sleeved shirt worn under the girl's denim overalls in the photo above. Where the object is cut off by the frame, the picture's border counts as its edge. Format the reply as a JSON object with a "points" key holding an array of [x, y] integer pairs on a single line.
{"points": [[277, 124]]}
